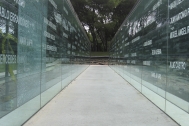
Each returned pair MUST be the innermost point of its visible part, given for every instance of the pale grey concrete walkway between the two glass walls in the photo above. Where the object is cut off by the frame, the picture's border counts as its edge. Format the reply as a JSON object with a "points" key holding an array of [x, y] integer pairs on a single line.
{"points": [[100, 97]]}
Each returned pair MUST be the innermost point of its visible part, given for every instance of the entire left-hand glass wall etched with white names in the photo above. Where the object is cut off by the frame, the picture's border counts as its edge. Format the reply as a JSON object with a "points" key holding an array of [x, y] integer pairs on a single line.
{"points": [[43, 47]]}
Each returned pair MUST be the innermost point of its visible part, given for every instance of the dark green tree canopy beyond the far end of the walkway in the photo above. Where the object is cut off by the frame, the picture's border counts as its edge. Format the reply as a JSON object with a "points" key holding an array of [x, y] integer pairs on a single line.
{"points": [[102, 18]]}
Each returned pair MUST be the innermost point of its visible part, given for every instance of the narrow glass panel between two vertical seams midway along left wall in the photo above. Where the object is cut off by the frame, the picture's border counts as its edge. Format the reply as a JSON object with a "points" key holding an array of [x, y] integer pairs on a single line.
{"points": [[52, 50]]}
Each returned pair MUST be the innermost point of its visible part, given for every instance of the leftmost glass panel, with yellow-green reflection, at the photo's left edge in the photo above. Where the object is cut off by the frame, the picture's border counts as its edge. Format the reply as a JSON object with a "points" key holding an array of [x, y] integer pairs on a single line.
{"points": [[8, 57]]}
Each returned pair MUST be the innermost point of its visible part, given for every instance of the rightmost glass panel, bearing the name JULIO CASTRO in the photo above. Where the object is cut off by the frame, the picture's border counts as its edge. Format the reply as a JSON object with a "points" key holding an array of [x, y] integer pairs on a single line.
{"points": [[178, 80]]}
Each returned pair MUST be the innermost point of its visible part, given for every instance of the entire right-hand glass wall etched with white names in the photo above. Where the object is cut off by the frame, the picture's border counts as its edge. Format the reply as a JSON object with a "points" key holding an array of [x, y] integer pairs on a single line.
{"points": [[151, 51]]}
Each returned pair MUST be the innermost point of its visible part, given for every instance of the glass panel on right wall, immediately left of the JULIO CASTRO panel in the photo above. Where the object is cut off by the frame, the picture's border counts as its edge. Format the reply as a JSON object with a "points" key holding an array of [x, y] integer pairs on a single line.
{"points": [[155, 47]]}
